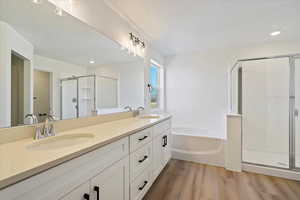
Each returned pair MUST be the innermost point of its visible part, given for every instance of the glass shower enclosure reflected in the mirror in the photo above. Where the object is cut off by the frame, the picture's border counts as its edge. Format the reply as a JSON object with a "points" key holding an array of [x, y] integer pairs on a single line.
{"points": [[77, 96]]}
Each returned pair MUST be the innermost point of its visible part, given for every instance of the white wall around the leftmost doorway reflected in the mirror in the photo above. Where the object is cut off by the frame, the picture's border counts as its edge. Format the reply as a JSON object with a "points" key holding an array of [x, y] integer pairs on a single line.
{"points": [[10, 41]]}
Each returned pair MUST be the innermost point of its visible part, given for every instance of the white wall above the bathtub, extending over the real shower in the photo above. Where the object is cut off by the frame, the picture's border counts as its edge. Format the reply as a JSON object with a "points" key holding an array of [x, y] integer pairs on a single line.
{"points": [[197, 84]]}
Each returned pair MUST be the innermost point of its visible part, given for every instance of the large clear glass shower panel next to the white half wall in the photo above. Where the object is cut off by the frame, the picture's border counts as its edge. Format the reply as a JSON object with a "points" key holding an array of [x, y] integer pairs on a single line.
{"points": [[265, 108]]}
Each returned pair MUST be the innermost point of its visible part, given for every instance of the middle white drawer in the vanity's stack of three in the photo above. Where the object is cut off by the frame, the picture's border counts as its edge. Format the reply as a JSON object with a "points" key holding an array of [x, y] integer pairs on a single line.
{"points": [[140, 160]]}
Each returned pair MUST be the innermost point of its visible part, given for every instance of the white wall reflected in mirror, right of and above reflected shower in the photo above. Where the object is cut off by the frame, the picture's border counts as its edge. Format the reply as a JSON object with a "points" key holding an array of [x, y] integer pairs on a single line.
{"points": [[131, 81]]}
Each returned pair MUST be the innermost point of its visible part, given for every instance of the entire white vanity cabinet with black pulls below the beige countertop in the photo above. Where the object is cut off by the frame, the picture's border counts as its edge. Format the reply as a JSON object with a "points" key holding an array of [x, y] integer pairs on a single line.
{"points": [[122, 170]]}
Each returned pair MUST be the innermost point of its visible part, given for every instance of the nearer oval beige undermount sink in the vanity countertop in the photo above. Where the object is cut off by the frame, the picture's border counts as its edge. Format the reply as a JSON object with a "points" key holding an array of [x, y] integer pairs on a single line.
{"points": [[56, 142]]}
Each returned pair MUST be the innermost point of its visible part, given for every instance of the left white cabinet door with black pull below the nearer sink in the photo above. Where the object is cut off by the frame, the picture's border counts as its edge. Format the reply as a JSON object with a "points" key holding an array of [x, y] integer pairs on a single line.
{"points": [[79, 193]]}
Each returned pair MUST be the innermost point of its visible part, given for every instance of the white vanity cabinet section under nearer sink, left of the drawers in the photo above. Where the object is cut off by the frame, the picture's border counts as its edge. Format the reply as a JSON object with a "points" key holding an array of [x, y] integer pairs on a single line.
{"points": [[70, 179]]}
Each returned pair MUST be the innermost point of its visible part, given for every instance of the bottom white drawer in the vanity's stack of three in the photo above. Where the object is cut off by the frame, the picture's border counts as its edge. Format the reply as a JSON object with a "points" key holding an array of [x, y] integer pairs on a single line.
{"points": [[141, 185]]}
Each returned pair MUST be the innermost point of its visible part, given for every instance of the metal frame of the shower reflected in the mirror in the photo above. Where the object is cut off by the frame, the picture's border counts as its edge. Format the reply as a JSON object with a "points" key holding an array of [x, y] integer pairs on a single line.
{"points": [[76, 78]]}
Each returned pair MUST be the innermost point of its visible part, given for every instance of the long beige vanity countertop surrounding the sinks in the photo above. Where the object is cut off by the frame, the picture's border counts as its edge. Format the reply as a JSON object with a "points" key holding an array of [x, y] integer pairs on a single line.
{"points": [[19, 162]]}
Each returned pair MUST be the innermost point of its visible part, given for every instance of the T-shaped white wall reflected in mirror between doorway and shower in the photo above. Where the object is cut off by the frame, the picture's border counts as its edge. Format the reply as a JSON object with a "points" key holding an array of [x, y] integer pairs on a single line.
{"points": [[59, 70]]}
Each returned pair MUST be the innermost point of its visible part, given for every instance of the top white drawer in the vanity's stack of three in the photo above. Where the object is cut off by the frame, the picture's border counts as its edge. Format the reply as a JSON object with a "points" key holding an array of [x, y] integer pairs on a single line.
{"points": [[139, 139]]}
